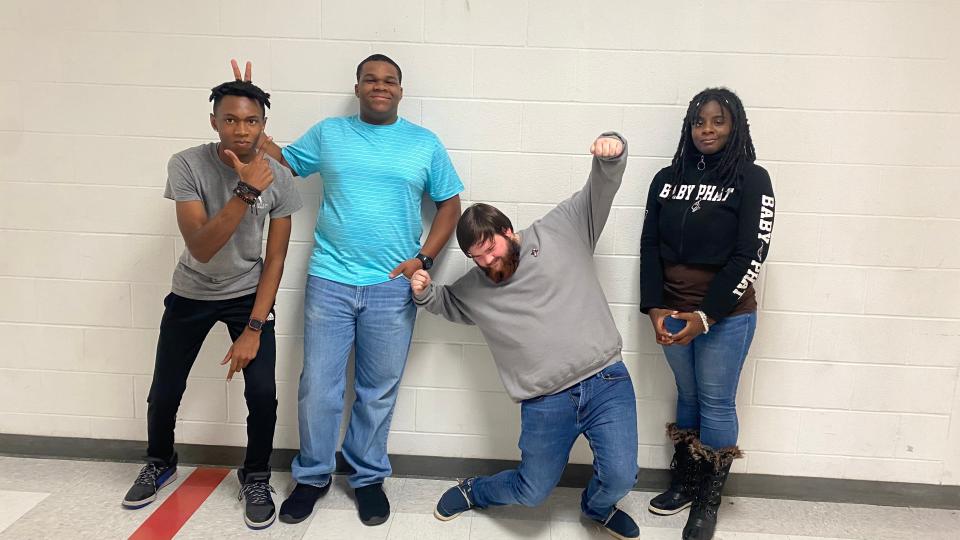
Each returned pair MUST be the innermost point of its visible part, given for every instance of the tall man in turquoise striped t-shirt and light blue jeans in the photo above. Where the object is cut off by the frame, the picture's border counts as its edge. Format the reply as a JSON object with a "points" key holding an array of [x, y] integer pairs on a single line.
{"points": [[375, 167]]}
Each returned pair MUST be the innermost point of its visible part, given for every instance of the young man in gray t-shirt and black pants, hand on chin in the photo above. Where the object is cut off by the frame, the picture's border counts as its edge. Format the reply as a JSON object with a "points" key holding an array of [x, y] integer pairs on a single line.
{"points": [[224, 193]]}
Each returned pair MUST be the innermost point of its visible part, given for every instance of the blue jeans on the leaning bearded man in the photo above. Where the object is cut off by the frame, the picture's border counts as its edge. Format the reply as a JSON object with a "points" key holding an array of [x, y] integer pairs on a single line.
{"points": [[604, 410]]}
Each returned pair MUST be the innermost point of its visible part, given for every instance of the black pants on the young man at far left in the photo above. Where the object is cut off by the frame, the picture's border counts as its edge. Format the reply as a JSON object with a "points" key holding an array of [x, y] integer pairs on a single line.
{"points": [[184, 326]]}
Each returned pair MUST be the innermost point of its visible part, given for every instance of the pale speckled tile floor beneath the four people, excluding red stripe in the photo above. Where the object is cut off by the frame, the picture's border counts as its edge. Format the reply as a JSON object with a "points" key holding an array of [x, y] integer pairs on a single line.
{"points": [[57, 499]]}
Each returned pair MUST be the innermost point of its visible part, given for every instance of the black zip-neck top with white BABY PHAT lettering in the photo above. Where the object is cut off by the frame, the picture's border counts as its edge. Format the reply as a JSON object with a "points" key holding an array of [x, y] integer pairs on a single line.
{"points": [[704, 221]]}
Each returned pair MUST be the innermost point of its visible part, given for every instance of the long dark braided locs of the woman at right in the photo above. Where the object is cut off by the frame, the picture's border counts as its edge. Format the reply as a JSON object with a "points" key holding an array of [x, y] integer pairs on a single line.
{"points": [[739, 148]]}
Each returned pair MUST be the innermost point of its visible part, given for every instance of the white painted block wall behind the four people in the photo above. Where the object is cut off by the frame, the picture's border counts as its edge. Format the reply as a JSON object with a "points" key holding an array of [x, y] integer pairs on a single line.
{"points": [[853, 104]]}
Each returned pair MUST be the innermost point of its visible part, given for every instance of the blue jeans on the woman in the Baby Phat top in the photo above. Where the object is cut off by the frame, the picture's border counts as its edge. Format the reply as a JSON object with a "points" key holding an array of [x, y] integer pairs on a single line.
{"points": [[707, 371]]}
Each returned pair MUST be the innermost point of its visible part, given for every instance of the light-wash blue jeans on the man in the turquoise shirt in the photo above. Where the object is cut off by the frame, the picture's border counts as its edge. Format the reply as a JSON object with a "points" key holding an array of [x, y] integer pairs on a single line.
{"points": [[376, 321]]}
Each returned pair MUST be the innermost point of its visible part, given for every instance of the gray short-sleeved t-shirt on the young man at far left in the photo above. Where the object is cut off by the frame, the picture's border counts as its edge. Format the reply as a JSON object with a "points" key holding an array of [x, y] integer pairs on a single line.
{"points": [[197, 174]]}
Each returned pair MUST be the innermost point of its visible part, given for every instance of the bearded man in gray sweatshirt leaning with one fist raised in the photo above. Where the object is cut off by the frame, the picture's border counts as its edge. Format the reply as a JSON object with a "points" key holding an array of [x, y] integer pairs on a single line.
{"points": [[536, 299]]}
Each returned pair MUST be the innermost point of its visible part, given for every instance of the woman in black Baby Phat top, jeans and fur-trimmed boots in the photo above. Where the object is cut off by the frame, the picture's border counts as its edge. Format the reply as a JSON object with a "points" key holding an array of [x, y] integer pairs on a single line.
{"points": [[706, 231]]}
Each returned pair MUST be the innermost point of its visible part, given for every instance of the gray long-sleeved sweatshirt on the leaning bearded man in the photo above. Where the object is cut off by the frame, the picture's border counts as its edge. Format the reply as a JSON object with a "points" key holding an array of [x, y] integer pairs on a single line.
{"points": [[549, 325]]}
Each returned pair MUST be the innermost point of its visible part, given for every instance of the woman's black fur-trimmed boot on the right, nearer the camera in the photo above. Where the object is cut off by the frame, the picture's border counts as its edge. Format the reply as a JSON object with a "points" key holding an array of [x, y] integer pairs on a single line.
{"points": [[713, 466]]}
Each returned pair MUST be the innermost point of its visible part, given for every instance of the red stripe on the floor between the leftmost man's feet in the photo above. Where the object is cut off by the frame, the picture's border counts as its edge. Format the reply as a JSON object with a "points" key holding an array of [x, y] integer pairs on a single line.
{"points": [[167, 520]]}
